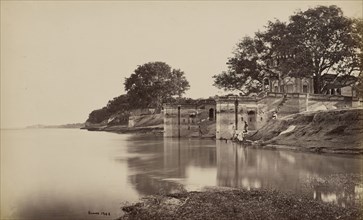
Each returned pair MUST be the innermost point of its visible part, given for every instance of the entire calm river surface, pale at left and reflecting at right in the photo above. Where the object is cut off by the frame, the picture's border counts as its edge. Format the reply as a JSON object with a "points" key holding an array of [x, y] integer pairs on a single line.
{"points": [[76, 174]]}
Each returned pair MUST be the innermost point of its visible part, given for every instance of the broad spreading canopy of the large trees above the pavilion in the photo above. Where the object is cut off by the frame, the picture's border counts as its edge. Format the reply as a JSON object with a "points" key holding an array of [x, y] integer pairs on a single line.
{"points": [[312, 43]]}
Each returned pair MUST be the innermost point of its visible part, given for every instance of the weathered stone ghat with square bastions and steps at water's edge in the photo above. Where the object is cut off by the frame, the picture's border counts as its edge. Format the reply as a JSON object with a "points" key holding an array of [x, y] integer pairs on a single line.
{"points": [[232, 113]]}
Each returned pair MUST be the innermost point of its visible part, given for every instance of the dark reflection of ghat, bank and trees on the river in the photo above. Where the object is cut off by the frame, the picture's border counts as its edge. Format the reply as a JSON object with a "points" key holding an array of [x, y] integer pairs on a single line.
{"points": [[169, 165]]}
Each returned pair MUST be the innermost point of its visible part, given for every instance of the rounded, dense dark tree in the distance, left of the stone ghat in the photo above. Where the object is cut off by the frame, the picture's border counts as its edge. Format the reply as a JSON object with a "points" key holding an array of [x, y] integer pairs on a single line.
{"points": [[153, 83]]}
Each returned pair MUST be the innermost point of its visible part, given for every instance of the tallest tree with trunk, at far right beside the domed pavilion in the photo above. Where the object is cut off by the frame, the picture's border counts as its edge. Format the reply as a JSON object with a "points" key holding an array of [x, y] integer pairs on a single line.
{"points": [[326, 37]]}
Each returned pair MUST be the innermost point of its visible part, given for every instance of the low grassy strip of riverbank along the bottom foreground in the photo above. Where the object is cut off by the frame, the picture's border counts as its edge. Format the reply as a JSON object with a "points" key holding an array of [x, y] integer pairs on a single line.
{"points": [[226, 203]]}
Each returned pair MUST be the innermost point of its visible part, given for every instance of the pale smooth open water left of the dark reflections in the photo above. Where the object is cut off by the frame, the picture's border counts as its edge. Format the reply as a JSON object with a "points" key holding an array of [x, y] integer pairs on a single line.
{"points": [[62, 174]]}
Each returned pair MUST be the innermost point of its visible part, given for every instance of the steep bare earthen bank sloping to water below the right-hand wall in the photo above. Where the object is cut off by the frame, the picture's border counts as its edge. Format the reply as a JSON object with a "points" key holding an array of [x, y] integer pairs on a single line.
{"points": [[335, 131]]}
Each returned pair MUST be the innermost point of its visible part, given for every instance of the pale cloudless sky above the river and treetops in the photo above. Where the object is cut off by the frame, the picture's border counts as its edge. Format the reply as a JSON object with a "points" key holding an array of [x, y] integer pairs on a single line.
{"points": [[62, 59]]}
